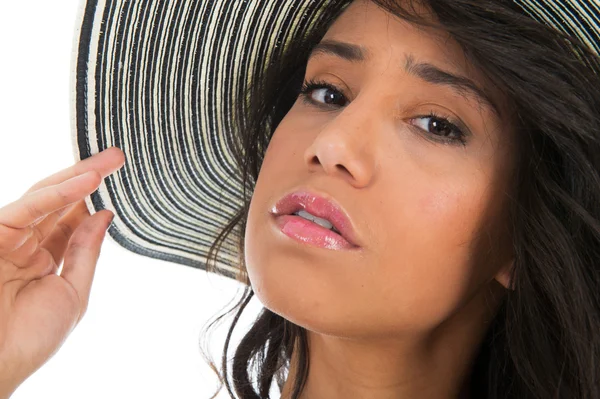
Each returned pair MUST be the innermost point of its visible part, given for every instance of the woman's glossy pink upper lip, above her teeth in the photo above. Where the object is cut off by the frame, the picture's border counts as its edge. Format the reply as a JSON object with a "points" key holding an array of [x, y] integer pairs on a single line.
{"points": [[319, 205]]}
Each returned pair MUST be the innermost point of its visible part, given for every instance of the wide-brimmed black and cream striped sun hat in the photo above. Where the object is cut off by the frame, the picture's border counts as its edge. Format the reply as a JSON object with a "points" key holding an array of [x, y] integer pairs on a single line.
{"points": [[157, 78]]}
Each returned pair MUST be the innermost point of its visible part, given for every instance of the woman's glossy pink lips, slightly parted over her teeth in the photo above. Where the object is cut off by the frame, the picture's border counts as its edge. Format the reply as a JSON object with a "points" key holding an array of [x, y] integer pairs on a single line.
{"points": [[307, 231]]}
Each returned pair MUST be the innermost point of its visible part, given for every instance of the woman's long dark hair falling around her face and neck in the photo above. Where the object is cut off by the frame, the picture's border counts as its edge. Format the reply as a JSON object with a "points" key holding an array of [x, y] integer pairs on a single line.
{"points": [[544, 340]]}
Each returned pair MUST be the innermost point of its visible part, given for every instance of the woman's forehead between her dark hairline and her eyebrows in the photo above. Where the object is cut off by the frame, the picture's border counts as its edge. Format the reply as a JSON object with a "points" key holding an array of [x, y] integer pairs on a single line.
{"points": [[388, 40]]}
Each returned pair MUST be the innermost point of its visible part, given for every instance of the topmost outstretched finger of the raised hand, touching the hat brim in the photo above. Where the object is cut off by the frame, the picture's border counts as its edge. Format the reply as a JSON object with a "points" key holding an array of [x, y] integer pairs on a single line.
{"points": [[105, 163]]}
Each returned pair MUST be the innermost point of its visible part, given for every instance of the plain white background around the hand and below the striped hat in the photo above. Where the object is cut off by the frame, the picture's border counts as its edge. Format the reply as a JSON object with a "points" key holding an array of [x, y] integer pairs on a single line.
{"points": [[140, 335]]}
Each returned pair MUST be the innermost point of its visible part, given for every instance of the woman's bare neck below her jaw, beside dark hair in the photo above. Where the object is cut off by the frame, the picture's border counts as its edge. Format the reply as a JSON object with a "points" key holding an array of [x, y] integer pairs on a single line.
{"points": [[435, 365]]}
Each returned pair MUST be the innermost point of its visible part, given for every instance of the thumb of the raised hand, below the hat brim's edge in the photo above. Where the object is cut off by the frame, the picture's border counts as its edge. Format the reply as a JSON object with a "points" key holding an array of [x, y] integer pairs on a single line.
{"points": [[82, 255]]}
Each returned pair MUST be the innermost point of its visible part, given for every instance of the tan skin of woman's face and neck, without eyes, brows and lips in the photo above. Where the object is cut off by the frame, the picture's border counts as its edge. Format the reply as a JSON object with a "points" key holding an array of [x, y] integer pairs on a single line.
{"points": [[402, 317]]}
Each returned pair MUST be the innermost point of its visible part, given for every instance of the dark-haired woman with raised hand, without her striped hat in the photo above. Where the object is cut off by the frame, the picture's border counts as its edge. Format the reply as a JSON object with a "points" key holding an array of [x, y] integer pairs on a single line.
{"points": [[453, 148]]}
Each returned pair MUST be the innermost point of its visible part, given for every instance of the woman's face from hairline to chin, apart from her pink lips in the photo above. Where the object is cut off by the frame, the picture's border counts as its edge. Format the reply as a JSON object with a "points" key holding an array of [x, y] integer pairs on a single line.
{"points": [[427, 204]]}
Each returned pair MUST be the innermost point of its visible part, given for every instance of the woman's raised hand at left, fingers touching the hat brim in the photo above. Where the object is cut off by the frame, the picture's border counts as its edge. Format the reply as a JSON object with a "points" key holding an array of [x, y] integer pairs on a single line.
{"points": [[38, 307]]}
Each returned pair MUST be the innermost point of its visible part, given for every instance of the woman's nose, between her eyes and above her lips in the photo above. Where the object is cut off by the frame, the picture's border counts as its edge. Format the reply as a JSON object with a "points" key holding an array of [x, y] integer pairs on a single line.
{"points": [[345, 147]]}
